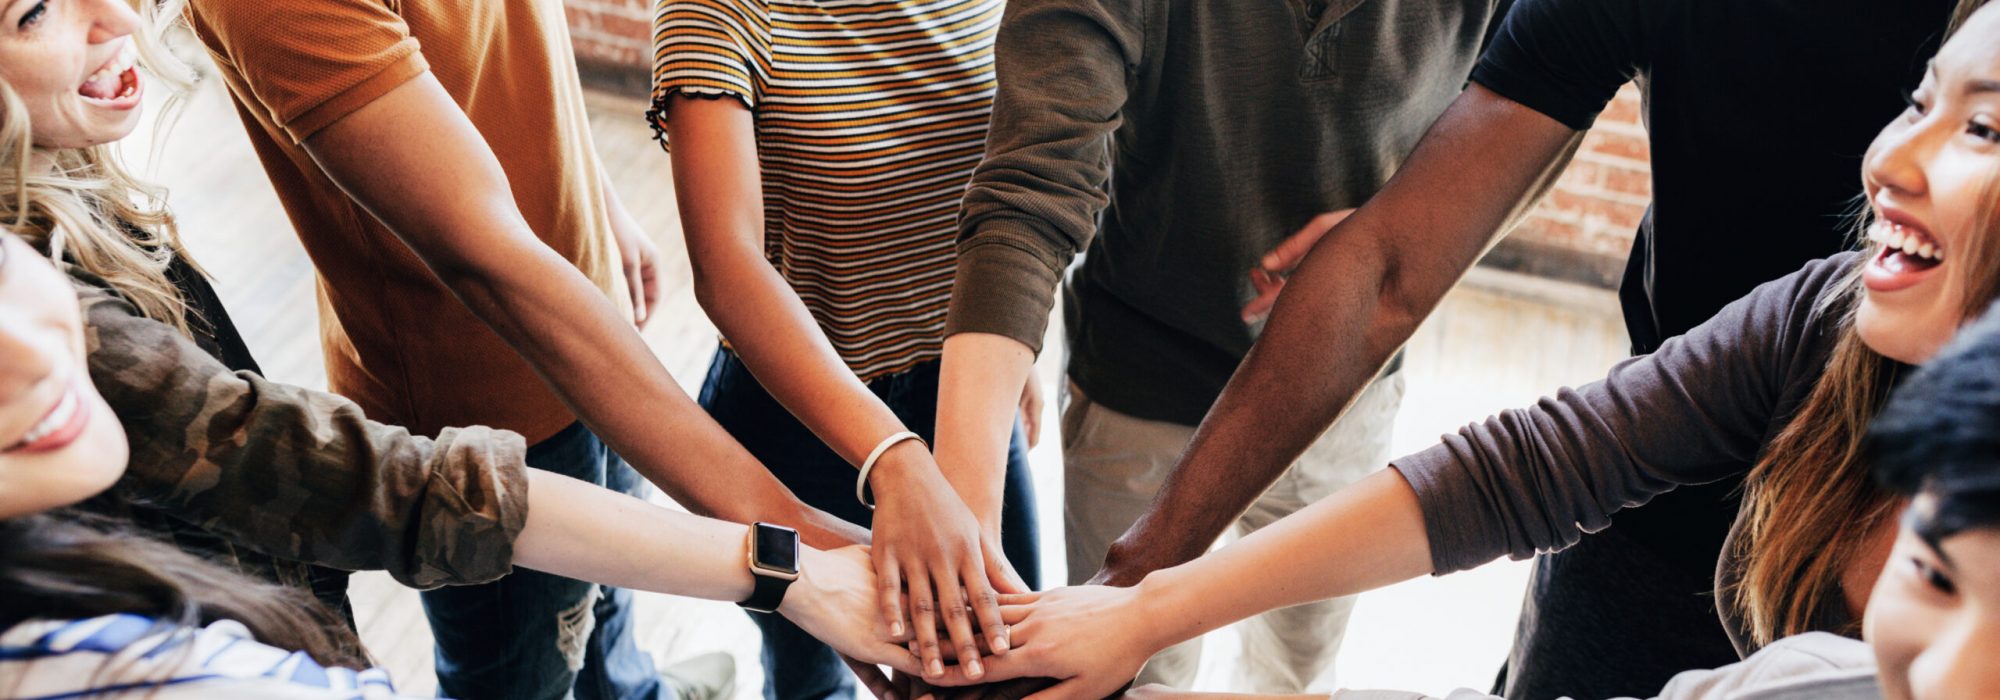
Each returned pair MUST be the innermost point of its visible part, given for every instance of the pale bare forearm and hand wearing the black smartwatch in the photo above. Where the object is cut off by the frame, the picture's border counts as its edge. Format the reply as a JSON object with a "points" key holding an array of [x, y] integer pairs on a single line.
{"points": [[639, 545]]}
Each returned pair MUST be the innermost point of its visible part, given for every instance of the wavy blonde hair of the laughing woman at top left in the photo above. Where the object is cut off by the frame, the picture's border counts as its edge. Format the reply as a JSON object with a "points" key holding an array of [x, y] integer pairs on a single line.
{"points": [[83, 207]]}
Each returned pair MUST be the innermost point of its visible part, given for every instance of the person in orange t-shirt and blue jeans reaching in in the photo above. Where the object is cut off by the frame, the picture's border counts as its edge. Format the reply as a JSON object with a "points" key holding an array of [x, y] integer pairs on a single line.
{"points": [[435, 159]]}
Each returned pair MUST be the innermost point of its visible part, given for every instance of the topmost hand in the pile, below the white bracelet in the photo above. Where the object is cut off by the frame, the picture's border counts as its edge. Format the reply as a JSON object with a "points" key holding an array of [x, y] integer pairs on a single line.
{"points": [[927, 541]]}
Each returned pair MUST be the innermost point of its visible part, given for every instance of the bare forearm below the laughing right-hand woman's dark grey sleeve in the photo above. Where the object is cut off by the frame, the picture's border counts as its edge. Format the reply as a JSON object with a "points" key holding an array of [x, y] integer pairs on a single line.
{"points": [[1365, 537]]}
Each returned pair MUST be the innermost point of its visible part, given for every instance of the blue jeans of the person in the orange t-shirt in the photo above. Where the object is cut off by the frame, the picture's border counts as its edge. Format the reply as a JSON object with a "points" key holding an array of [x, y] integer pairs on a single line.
{"points": [[535, 635]]}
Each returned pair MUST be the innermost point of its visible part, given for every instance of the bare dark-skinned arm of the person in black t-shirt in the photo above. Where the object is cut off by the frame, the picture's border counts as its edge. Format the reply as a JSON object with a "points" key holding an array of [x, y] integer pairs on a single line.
{"points": [[1351, 305]]}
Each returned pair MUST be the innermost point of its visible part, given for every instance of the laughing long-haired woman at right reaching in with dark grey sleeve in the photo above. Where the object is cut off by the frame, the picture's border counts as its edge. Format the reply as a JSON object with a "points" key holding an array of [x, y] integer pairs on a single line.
{"points": [[1787, 379]]}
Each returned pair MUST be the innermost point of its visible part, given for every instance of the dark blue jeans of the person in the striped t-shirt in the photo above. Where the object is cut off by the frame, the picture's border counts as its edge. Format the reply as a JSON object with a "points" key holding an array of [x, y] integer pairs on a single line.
{"points": [[797, 667]]}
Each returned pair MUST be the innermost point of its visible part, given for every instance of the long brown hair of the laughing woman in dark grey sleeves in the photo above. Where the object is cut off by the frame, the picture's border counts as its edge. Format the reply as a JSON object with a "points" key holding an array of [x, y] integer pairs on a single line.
{"points": [[1811, 503]]}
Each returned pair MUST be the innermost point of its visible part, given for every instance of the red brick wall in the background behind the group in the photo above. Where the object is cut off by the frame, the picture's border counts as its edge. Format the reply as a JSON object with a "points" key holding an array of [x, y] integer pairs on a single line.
{"points": [[1581, 231]]}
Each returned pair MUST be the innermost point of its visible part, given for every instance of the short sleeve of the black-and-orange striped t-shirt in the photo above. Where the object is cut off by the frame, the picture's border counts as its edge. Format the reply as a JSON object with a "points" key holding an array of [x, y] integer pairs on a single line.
{"points": [[711, 49]]}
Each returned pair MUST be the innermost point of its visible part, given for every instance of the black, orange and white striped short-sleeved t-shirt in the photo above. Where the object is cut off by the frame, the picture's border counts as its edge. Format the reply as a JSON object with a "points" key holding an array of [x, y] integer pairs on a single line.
{"points": [[871, 117]]}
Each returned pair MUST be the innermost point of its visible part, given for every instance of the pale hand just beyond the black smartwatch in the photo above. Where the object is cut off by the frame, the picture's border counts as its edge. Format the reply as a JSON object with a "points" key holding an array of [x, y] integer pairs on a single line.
{"points": [[835, 603]]}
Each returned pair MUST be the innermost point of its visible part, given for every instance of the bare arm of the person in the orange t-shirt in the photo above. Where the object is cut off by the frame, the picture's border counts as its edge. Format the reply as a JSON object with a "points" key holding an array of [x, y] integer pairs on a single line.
{"points": [[419, 165]]}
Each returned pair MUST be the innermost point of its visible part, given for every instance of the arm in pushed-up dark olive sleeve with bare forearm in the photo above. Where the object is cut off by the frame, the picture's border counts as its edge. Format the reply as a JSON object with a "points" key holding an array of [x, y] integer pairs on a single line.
{"points": [[1029, 211]]}
